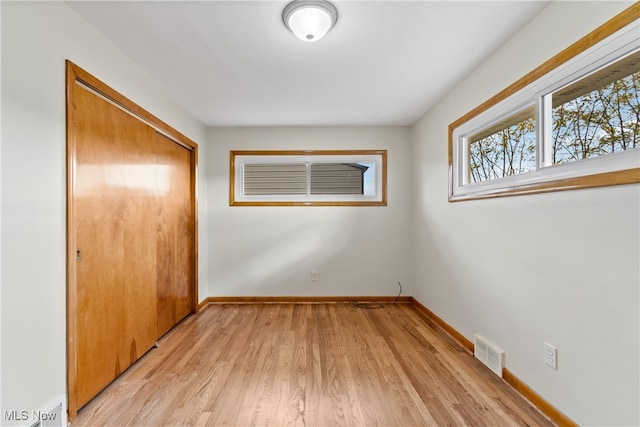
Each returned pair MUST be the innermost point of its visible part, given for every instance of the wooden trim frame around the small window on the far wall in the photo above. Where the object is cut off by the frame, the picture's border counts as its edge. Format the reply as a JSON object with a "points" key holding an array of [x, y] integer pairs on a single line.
{"points": [[233, 154]]}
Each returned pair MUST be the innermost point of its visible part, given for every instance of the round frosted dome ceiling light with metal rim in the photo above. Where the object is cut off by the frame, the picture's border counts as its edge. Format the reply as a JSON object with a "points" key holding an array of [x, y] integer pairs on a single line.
{"points": [[310, 20]]}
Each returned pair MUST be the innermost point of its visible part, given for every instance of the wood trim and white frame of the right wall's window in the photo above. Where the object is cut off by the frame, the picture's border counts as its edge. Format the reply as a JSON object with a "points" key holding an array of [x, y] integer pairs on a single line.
{"points": [[543, 181]]}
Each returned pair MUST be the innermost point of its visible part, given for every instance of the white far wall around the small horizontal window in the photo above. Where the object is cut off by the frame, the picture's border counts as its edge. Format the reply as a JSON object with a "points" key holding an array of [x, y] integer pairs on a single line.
{"points": [[271, 251]]}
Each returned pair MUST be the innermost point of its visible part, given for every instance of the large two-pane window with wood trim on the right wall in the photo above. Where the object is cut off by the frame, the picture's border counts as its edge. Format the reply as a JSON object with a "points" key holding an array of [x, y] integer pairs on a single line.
{"points": [[575, 125]]}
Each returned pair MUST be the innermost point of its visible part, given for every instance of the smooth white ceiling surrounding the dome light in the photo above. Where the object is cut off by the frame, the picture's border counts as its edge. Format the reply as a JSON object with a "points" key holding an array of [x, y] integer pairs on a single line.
{"points": [[234, 63]]}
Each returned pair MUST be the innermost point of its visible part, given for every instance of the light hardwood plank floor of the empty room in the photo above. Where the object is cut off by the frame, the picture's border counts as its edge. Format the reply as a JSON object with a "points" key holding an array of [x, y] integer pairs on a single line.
{"points": [[337, 364]]}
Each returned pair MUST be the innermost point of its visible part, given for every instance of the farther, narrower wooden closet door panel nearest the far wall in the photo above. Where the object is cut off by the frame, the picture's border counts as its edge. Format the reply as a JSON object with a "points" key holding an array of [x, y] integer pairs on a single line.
{"points": [[175, 235]]}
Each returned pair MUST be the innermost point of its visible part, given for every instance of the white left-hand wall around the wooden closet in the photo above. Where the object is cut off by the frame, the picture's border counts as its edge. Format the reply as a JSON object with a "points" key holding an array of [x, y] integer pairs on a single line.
{"points": [[37, 37]]}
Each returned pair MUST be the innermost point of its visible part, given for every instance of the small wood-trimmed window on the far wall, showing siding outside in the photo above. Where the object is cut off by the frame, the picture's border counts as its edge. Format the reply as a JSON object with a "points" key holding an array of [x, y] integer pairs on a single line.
{"points": [[271, 178]]}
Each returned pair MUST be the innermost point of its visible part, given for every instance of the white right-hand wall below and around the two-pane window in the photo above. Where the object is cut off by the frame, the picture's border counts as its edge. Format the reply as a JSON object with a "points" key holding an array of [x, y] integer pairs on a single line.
{"points": [[560, 267]]}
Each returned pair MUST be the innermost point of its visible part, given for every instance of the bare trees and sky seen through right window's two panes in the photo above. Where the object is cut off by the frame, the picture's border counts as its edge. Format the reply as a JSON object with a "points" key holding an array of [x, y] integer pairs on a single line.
{"points": [[590, 118]]}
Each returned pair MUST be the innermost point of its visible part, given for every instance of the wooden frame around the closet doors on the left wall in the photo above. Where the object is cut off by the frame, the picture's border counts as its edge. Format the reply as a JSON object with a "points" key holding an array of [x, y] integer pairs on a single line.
{"points": [[79, 79]]}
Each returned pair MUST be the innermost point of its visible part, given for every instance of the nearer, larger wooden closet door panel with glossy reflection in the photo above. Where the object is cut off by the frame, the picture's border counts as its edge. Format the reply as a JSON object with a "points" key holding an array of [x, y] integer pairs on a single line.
{"points": [[116, 180]]}
